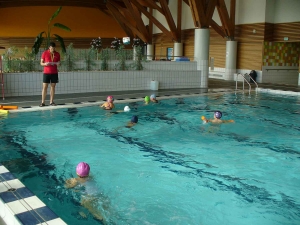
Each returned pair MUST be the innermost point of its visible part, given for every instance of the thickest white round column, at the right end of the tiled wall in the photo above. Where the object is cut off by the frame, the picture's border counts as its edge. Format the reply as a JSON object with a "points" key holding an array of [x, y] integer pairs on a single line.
{"points": [[201, 54]]}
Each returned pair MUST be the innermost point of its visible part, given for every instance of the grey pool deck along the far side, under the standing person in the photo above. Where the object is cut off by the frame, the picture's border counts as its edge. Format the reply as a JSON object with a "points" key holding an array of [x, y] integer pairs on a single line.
{"points": [[214, 85]]}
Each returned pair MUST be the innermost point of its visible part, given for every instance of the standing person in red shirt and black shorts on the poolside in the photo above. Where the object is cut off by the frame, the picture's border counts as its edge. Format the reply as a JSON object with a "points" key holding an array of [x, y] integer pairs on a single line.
{"points": [[50, 60]]}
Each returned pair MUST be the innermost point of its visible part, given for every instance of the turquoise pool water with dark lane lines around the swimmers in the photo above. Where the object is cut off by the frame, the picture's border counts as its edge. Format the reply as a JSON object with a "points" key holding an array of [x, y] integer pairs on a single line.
{"points": [[169, 168]]}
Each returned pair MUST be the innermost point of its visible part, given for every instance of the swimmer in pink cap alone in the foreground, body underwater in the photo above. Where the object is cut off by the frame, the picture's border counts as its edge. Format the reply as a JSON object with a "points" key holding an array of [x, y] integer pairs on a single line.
{"points": [[90, 197]]}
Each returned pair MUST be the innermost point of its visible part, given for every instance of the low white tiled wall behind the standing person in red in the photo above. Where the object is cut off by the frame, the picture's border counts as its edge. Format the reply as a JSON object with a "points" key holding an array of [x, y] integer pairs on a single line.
{"points": [[27, 84]]}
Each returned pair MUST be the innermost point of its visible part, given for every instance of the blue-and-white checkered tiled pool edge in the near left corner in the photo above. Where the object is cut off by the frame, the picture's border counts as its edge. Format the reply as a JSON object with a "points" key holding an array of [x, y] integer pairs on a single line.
{"points": [[18, 205]]}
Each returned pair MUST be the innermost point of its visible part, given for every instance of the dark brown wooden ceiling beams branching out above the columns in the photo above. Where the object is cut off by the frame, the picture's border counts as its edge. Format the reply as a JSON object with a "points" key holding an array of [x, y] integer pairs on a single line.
{"points": [[128, 13]]}
